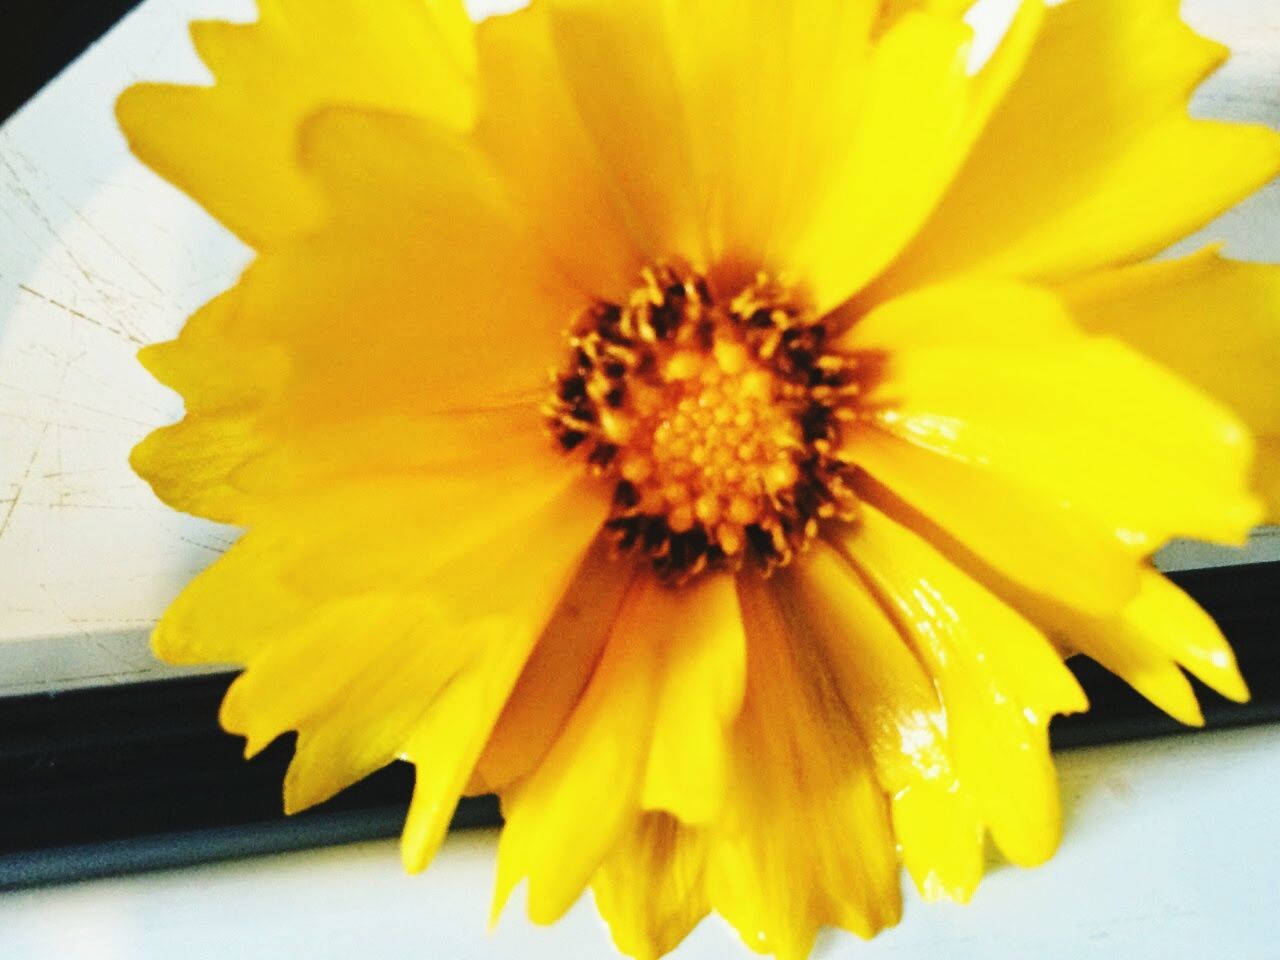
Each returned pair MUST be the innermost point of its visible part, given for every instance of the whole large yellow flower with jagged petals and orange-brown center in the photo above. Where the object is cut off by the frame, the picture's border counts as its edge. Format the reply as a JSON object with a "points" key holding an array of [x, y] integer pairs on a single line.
{"points": [[708, 424]]}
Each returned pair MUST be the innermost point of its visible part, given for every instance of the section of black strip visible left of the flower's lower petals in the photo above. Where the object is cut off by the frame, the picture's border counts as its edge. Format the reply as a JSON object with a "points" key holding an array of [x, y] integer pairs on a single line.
{"points": [[115, 780]]}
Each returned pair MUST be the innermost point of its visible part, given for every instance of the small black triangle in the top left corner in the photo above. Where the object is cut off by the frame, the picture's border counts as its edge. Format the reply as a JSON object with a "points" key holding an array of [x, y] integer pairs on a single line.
{"points": [[40, 38]]}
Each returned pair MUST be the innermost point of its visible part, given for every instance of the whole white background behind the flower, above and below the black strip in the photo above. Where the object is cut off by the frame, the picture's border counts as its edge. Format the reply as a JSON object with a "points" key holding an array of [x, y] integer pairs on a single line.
{"points": [[1171, 845]]}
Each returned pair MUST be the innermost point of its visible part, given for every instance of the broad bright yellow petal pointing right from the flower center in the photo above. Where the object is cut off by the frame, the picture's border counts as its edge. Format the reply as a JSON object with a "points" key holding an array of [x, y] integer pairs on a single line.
{"points": [[1085, 423]]}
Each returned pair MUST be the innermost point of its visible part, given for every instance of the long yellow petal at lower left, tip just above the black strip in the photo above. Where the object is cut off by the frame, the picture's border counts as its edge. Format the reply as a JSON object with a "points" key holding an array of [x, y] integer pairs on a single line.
{"points": [[322, 546]]}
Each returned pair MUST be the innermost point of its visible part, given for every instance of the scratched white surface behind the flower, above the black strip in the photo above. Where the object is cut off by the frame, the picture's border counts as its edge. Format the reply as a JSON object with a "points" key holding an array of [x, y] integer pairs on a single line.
{"points": [[98, 257]]}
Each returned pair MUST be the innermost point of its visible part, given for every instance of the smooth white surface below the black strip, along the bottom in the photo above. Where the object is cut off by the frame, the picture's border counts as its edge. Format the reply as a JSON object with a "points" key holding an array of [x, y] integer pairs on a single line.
{"points": [[1169, 856]]}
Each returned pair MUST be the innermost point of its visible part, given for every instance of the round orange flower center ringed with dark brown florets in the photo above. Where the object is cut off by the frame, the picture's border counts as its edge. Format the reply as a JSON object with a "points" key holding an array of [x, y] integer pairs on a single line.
{"points": [[717, 423]]}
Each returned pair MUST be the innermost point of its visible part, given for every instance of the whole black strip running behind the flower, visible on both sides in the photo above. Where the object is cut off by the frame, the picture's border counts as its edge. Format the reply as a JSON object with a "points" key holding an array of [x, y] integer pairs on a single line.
{"points": [[121, 779]]}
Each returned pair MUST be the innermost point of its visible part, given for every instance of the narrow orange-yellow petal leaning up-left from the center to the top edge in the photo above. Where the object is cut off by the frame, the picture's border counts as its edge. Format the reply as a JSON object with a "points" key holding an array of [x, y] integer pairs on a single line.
{"points": [[531, 129]]}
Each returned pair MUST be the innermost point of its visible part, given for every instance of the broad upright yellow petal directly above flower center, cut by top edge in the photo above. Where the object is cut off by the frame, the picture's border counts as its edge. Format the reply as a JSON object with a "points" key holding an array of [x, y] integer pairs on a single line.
{"points": [[761, 144]]}
